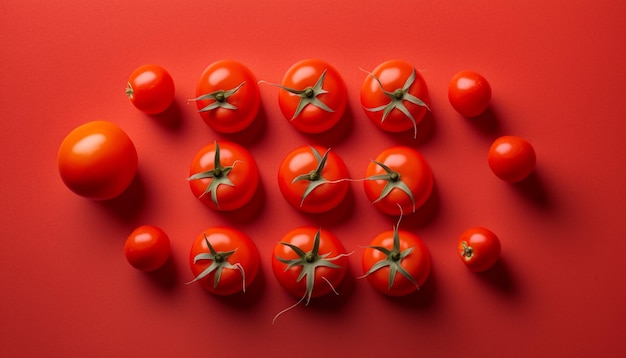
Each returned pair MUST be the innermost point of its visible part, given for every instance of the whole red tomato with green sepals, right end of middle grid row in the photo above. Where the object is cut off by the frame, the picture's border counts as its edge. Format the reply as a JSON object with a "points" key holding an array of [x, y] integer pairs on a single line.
{"points": [[398, 181]]}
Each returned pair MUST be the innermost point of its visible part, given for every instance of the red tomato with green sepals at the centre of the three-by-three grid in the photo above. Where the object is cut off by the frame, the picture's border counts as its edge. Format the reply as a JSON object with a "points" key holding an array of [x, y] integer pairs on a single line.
{"points": [[310, 179]]}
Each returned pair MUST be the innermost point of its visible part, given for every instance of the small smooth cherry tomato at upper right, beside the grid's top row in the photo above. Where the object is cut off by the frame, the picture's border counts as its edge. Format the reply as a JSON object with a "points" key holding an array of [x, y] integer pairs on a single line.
{"points": [[469, 93]]}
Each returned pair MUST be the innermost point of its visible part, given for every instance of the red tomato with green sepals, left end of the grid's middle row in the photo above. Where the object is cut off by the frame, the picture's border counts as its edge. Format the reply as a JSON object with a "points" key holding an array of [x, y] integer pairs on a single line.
{"points": [[224, 176]]}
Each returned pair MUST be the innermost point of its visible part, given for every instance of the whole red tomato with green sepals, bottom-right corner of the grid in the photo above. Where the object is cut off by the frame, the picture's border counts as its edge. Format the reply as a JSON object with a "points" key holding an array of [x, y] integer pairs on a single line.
{"points": [[396, 263]]}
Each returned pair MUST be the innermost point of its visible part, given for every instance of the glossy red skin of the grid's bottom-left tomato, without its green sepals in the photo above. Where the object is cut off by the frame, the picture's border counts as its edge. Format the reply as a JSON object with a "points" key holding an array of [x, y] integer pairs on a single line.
{"points": [[225, 239]]}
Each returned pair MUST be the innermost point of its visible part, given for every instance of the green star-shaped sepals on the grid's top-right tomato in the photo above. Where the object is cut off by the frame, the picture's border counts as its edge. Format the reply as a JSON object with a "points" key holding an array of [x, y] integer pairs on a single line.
{"points": [[397, 99]]}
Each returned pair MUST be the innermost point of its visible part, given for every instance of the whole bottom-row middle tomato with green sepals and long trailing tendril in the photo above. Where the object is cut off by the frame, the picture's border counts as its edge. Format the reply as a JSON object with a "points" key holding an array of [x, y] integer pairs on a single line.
{"points": [[303, 265]]}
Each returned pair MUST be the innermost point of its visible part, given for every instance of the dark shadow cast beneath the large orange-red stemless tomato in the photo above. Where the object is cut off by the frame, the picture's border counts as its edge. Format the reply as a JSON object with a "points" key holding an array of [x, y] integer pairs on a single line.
{"points": [[127, 206]]}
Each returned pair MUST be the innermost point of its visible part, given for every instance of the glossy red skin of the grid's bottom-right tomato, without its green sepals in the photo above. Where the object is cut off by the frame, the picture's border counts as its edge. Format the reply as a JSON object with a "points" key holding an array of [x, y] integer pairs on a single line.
{"points": [[417, 263]]}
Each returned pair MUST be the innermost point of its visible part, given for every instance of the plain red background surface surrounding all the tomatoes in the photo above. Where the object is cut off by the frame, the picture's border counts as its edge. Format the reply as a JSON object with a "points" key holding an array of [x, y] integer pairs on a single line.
{"points": [[557, 73]]}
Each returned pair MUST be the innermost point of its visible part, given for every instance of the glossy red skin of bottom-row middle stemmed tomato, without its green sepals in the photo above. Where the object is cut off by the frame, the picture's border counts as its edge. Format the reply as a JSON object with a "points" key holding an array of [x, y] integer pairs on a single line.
{"points": [[303, 237]]}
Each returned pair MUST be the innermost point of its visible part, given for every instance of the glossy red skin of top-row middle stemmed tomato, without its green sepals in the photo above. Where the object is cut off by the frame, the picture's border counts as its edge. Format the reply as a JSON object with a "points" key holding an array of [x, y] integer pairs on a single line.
{"points": [[313, 119]]}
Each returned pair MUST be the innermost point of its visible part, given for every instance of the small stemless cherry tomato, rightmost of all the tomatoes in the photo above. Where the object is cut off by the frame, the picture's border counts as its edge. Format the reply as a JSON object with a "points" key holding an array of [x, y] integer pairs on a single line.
{"points": [[511, 158]]}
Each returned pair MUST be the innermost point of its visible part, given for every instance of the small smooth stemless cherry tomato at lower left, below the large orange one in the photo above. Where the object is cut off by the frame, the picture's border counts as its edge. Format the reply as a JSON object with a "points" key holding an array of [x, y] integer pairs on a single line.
{"points": [[147, 248]]}
